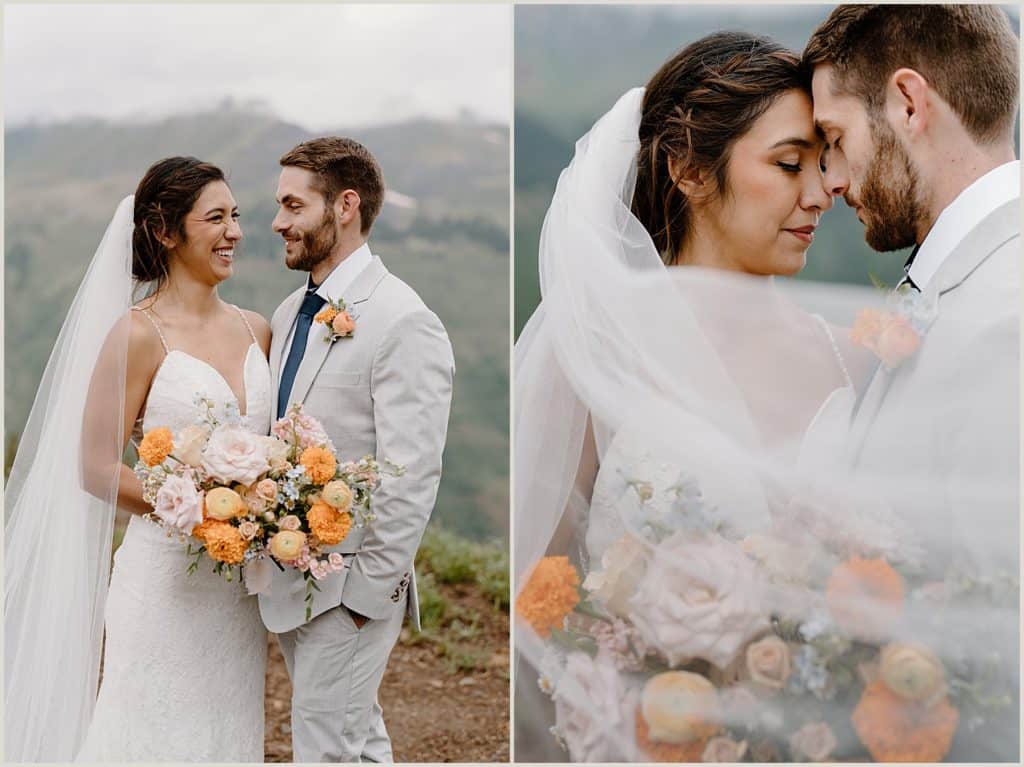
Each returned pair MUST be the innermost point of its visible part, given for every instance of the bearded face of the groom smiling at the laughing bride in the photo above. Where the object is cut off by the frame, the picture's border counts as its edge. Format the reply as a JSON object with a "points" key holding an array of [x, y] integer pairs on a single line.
{"points": [[309, 226]]}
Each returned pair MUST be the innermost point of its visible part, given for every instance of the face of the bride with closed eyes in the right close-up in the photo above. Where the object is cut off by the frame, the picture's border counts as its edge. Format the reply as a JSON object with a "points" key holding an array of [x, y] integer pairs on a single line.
{"points": [[764, 223]]}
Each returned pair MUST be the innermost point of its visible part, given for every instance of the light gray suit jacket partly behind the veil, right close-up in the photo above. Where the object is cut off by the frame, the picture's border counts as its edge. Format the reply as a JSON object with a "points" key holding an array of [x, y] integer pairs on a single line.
{"points": [[950, 415]]}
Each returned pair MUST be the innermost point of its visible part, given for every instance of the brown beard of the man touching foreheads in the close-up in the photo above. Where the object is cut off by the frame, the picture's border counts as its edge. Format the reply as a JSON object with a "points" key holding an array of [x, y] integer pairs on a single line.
{"points": [[890, 195]]}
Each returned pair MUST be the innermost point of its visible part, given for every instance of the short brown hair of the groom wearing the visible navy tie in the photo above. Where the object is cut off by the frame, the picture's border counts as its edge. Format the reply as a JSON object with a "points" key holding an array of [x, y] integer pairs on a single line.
{"points": [[343, 164]]}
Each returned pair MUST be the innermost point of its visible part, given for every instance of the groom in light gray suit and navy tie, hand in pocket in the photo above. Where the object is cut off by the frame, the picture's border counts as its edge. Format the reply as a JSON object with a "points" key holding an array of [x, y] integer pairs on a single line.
{"points": [[385, 391]]}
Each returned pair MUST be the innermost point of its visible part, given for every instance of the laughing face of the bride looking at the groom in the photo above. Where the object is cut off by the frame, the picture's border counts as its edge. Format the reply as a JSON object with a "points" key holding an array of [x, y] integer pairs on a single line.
{"points": [[211, 234]]}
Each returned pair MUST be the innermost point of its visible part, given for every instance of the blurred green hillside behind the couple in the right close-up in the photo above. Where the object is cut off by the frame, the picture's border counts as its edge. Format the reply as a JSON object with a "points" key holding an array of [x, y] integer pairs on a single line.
{"points": [[573, 63]]}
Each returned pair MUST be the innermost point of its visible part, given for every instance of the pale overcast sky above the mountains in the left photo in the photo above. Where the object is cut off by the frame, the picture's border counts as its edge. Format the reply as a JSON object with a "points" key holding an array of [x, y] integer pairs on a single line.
{"points": [[318, 66]]}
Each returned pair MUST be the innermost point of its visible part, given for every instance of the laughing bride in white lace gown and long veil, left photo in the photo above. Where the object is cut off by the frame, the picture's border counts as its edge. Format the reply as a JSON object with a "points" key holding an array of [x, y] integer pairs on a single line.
{"points": [[184, 657]]}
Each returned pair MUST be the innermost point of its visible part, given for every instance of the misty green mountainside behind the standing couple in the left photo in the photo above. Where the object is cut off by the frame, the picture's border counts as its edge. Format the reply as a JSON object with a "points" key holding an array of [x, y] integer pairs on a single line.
{"points": [[64, 182]]}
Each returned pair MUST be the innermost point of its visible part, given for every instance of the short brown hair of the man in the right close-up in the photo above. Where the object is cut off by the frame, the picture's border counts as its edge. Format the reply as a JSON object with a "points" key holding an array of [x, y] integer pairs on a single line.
{"points": [[968, 54]]}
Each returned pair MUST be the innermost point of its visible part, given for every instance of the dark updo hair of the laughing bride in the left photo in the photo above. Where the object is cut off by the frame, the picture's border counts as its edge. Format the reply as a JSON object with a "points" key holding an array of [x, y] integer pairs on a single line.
{"points": [[166, 194]]}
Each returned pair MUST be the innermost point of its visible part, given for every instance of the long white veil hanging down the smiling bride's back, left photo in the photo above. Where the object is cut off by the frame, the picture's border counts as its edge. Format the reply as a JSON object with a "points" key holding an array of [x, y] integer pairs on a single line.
{"points": [[60, 507]]}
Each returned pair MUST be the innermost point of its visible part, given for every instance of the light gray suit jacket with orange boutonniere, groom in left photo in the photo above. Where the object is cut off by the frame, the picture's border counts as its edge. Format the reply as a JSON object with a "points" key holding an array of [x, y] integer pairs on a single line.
{"points": [[386, 392]]}
